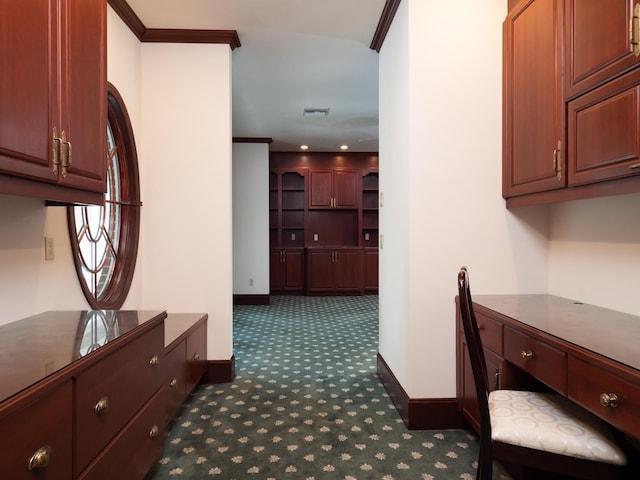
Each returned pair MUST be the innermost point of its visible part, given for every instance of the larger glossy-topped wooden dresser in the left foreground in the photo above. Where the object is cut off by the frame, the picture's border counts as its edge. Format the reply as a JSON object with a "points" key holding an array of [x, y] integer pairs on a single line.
{"points": [[81, 395]]}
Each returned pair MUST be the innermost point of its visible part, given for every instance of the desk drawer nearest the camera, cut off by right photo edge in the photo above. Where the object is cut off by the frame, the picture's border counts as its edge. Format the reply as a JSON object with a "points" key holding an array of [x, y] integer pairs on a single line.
{"points": [[588, 382]]}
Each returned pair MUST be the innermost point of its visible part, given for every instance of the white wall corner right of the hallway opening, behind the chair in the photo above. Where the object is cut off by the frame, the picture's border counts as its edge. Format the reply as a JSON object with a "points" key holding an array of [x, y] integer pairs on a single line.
{"points": [[440, 171]]}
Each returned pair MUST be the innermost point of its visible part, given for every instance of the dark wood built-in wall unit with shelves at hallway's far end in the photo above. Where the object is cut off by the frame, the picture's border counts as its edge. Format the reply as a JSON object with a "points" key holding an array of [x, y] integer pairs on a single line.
{"points": [[323, 223]]}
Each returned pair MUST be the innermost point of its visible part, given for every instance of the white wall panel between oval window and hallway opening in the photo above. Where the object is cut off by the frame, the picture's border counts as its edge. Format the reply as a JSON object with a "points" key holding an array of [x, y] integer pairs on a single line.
{"points": [[186, 144]]}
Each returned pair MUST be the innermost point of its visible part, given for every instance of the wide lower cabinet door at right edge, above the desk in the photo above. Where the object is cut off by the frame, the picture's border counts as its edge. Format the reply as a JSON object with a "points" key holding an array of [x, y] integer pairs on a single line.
{"points": [[603, 132]]}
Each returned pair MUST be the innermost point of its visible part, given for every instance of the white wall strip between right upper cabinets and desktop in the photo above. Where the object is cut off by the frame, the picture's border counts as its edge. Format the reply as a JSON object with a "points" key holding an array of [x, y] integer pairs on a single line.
{"points": [[594, 252]]}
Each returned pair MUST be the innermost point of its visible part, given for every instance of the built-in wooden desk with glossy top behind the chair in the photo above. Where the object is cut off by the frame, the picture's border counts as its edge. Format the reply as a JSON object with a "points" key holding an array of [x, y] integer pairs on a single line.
{"points": [[589, 354]]}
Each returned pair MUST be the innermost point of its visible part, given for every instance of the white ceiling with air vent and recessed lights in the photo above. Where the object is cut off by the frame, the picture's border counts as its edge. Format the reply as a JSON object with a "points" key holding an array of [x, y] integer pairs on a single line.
{"points": [[295, 54]]}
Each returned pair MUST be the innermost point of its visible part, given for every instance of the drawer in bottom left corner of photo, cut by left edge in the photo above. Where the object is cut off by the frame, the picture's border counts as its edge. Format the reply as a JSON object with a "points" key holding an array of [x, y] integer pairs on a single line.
{"points": [[43, 427]]}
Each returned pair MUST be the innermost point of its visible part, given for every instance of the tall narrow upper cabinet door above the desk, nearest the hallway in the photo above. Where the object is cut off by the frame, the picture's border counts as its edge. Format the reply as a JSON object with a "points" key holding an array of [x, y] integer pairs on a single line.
{"points": [[533, 98]]}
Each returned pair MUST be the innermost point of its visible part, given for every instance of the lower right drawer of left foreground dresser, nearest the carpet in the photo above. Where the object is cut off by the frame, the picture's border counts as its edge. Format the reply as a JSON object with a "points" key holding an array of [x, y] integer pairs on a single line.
{"points": [[136, 448]]}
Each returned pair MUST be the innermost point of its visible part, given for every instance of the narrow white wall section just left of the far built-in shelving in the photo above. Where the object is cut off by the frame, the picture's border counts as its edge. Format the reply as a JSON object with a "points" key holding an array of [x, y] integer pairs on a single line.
{"points": [[250, 218]]}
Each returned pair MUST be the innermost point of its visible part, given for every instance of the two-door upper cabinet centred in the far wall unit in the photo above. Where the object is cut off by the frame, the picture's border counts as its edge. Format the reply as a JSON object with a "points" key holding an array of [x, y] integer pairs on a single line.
{"points": [[335, 188]]}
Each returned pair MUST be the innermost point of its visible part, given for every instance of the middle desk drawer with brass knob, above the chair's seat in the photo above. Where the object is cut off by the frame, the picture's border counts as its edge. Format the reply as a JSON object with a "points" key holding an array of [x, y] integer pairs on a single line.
{"points": [[537, 358]]}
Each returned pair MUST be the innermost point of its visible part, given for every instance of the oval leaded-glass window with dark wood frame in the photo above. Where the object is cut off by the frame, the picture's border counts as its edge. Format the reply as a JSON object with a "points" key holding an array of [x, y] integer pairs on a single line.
{"points": [[104, 239]]}
